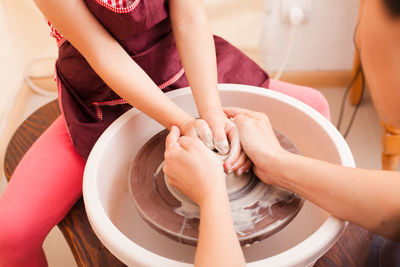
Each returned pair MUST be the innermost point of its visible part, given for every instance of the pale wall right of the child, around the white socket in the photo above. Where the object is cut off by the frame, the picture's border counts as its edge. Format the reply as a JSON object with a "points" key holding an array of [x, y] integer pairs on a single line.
{"points": [[325, 43]]}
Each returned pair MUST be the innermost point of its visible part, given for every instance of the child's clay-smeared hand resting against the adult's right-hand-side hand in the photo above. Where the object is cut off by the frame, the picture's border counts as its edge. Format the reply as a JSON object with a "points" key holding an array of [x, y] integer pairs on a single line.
{"points": [[226, 141]]}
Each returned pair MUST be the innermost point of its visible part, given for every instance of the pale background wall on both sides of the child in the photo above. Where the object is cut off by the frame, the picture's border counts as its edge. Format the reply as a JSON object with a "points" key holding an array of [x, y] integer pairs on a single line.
{"points": [[325, 43]]}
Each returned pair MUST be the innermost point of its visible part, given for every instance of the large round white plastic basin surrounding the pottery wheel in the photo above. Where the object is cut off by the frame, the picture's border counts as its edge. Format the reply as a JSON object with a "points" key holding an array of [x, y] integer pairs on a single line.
{"points": [[118, 225]]}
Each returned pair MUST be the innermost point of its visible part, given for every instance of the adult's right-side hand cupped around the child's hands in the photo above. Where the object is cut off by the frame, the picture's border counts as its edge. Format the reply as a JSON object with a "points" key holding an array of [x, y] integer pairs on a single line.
{"points": [[257, 139]]}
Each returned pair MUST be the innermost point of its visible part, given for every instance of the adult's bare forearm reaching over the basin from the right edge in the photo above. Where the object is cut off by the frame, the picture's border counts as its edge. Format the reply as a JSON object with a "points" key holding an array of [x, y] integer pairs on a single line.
{"points": [[369, 198]]}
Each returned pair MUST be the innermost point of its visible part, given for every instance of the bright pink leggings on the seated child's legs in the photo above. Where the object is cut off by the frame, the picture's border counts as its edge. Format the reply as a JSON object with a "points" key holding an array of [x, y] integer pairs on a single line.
{"points": [[48, 181]]}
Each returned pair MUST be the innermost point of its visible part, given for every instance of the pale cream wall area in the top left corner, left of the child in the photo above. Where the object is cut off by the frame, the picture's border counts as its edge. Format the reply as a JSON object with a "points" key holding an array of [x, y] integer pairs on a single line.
{"points": [[24, 36]]}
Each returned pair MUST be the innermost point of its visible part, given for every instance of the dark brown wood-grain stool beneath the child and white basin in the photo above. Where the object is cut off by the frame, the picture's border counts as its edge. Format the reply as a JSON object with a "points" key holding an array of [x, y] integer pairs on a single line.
{"points": [[350, 250]]}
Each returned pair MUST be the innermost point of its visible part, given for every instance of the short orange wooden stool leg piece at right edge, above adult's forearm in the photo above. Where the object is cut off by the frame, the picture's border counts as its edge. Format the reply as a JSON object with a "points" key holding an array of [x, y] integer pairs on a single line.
{"points": [[391, 150]]}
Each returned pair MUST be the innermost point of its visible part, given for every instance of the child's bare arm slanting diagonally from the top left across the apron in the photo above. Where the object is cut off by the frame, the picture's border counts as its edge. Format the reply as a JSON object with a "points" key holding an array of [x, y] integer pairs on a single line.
{"points": [[107, 58]]}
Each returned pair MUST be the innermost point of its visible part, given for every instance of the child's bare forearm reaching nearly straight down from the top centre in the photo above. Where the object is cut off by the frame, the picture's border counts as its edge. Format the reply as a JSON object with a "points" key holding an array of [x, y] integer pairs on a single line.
{"points": [[196, 47]]}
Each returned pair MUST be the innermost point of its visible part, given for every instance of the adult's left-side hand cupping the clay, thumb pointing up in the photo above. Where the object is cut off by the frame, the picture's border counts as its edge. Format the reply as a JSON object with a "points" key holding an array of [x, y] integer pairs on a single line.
{"points": [[192, 168]]}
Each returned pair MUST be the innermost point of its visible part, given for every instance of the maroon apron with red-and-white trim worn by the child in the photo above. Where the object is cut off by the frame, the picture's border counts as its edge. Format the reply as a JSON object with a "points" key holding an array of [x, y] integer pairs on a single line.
{"points": [[143, 29]]}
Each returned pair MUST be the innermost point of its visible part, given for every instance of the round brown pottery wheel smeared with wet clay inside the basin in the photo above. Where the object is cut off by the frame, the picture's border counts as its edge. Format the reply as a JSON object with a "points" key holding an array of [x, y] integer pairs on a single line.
{"points": [[258, 210]]}
